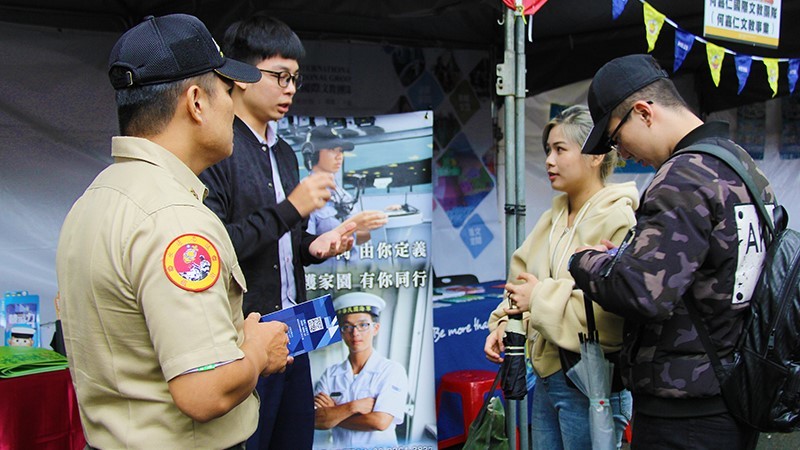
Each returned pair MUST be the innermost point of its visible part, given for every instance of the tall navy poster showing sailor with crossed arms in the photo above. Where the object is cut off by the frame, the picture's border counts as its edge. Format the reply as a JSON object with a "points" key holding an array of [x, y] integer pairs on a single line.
{"points": [[380, 378]]}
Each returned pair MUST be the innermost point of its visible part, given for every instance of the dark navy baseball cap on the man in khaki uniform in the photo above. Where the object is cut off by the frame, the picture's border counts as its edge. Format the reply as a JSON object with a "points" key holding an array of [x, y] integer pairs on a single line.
{"points": [[171, 48]]}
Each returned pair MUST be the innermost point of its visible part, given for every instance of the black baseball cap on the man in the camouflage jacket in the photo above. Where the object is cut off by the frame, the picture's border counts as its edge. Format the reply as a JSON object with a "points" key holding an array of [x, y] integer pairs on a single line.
{"points": [[611, 85]]}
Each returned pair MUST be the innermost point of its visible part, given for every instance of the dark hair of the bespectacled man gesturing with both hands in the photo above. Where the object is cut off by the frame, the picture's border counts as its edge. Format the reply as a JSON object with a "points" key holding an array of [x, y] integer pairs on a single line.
{"points": [[260, 37]]}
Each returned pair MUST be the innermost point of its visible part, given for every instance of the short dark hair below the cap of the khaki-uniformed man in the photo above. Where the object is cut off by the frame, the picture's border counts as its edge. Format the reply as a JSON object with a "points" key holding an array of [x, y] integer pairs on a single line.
{"points": [[146, 110]]}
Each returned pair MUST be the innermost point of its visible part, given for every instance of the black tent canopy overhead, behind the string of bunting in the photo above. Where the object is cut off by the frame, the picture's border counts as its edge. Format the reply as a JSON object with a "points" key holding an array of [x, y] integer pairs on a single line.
{"points": [[571, 38]]}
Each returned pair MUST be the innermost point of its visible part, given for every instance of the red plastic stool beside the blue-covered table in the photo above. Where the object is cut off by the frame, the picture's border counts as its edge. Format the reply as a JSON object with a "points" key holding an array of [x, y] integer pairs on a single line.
{"points": [[471, 385]]}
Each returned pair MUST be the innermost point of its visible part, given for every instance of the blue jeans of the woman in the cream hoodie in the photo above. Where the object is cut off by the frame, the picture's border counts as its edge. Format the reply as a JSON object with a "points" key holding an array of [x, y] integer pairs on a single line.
{"points": [[560, 415]]}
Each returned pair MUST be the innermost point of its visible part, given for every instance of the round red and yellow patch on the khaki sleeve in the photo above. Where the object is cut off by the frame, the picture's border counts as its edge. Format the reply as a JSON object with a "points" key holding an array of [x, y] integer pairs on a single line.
{"points": [[192, 262]]}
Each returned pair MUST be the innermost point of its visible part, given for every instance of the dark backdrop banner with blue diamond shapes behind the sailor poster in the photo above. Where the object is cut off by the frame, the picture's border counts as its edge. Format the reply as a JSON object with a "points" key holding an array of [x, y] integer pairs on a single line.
{"points": [[355, 79]]}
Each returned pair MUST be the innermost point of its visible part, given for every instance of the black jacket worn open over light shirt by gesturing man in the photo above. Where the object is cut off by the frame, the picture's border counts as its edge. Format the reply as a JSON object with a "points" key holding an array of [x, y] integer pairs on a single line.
{"points": [[242, 194]]}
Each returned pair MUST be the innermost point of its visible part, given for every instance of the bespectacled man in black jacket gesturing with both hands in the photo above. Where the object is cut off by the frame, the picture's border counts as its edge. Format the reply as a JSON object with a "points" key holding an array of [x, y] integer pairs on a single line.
{"points": [[257, 194]]}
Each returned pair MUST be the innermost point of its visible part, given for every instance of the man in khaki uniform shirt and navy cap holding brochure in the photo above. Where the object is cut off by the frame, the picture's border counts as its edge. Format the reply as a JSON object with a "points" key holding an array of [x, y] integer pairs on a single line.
{"points": [[151, 290]]}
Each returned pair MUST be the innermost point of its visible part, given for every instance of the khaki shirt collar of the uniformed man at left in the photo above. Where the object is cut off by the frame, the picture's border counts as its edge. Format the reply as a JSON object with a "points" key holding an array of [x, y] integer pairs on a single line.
{"points": [[129, 147]]}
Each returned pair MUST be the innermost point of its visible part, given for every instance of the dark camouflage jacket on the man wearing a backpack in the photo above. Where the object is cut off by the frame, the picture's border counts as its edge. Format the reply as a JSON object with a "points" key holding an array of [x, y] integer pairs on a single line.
{"points": [[686, 248]]}
